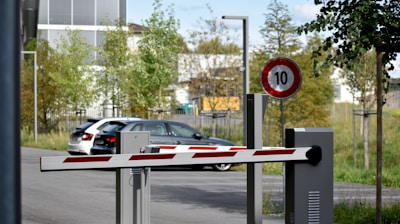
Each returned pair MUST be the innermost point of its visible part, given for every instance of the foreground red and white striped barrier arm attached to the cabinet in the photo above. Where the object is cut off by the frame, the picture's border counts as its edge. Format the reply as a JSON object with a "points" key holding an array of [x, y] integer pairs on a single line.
{"points": [[176, 158]]}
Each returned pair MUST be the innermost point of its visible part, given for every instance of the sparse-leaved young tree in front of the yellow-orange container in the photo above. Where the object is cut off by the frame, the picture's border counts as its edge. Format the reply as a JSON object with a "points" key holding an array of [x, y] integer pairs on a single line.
{"points": [[212, 69]]}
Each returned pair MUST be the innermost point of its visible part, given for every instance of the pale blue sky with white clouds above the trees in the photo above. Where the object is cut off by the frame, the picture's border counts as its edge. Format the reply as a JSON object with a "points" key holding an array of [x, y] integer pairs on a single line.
{"points": [[189, 12]]}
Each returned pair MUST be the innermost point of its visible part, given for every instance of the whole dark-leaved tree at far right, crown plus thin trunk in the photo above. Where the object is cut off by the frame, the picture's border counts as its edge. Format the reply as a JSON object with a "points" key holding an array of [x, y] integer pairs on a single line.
{"points": [[356, 27]]}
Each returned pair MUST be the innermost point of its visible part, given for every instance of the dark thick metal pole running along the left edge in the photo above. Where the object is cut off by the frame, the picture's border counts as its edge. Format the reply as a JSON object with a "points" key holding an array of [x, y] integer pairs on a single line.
{"points": [[10, 170]]}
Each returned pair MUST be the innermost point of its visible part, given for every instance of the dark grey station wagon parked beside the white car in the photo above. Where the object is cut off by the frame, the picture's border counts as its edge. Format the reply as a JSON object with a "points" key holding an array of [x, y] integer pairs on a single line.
{"points": [[162, 132]]}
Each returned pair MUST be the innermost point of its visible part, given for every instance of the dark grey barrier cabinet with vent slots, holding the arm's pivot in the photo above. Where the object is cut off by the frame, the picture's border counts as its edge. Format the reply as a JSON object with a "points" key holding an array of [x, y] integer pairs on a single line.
{"points": [[309, 185]]}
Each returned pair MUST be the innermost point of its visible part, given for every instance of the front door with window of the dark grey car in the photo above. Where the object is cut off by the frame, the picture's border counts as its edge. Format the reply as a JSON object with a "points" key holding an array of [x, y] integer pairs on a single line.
{"points": [[185, 135]]}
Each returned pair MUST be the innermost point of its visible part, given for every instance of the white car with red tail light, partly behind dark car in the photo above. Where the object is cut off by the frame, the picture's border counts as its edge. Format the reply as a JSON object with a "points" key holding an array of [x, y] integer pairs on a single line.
{"points": [[81, 139]]}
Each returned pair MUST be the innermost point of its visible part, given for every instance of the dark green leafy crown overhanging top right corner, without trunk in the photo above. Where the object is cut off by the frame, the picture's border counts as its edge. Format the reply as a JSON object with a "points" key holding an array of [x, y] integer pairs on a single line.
{"points": [[356, 27]]}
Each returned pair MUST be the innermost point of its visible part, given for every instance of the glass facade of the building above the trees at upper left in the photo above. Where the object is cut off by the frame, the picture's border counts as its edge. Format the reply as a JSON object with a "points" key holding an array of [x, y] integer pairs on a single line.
{"points": [[55, 16]]}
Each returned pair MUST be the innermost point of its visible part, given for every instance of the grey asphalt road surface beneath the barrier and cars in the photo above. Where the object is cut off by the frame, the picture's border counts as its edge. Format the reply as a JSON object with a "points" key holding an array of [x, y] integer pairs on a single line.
{"points": [[177, 195]]}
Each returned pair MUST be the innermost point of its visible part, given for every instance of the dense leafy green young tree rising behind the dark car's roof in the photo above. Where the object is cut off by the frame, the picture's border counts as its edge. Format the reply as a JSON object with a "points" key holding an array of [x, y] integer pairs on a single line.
{"points": [[158, 52]]}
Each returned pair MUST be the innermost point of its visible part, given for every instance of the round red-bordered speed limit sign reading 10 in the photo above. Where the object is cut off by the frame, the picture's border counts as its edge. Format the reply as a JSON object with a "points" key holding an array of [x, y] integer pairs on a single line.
{"points": [[280, 77]]}
